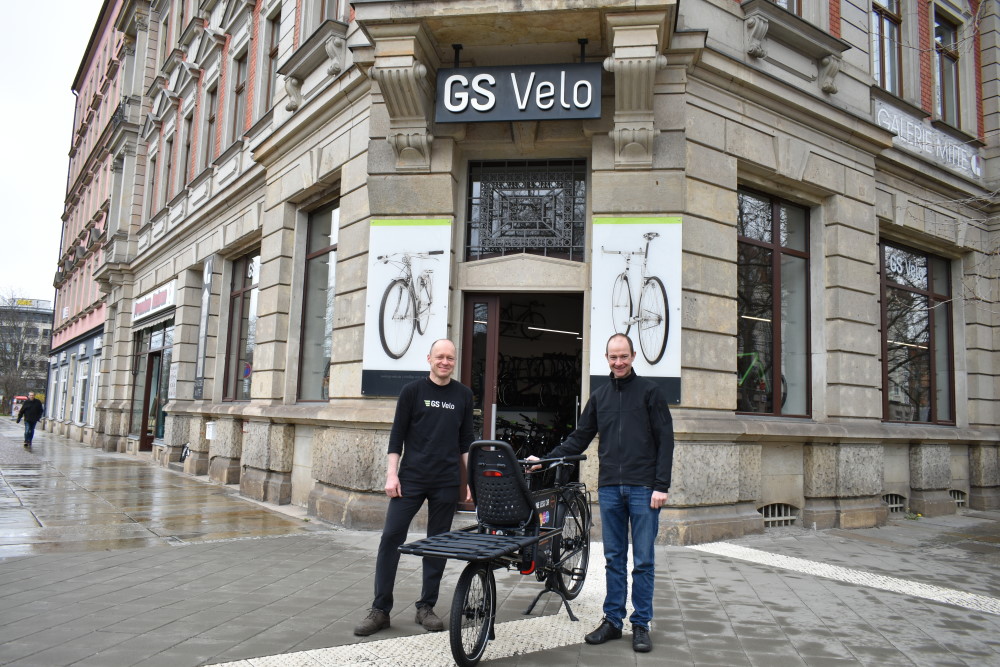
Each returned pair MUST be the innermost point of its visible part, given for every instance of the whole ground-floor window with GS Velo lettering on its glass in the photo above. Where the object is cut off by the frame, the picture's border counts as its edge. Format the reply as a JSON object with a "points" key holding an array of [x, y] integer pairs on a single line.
{"points": [[916, 337]]}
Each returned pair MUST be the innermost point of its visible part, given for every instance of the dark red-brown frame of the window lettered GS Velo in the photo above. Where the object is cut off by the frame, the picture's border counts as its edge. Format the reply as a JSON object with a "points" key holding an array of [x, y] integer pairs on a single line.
{"points": [[934, 300]]}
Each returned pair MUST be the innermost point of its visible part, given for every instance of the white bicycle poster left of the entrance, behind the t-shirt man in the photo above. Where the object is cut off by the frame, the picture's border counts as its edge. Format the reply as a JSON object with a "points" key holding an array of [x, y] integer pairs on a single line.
{"points": [[407, 301]]}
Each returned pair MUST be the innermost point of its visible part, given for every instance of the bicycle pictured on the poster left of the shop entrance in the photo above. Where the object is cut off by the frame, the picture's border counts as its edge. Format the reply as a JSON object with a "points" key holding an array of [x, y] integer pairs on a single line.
{"points": [[406, 303]]}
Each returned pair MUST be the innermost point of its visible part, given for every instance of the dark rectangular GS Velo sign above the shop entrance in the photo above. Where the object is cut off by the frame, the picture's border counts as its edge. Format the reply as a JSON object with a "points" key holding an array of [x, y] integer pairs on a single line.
{"points": [[522, 92]]}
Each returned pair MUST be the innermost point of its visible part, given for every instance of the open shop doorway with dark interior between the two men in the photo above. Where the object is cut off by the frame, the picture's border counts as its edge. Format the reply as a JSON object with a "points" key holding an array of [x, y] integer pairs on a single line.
{"points": [[522, 358]]}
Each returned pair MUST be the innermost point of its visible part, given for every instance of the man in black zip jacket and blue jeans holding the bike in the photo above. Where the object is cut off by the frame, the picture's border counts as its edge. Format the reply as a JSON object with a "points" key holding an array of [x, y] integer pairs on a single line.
{"points": [[636, 452]]}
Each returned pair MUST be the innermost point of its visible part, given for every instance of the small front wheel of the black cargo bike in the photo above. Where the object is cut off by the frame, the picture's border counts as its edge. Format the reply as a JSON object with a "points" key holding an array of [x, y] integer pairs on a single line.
{"points": [[472, 612]]}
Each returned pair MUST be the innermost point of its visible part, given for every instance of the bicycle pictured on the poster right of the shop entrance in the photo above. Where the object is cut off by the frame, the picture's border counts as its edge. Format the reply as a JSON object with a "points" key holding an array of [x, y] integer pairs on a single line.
{"points": [[650, 314]]}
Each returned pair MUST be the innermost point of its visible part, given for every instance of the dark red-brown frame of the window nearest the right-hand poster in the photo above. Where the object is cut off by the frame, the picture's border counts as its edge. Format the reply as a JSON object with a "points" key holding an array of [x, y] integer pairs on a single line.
{"points": [[778, 252]]}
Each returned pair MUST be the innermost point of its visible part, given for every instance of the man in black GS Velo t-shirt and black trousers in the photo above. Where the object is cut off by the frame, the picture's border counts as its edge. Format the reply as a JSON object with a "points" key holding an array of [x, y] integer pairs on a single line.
{"points": [[430, 438]]}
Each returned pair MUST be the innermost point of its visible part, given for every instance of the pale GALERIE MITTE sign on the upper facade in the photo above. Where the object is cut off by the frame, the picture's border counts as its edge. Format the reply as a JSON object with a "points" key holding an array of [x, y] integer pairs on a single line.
{"points": [[917, 136]]}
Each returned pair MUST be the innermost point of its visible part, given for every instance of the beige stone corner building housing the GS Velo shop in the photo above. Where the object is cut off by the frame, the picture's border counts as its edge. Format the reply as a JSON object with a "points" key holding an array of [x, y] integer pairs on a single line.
{"points": [[796, 223]]}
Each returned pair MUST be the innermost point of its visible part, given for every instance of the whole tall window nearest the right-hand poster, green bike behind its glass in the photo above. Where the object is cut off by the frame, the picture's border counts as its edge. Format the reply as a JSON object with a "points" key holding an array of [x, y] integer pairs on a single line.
{"points": [[772, 329]]}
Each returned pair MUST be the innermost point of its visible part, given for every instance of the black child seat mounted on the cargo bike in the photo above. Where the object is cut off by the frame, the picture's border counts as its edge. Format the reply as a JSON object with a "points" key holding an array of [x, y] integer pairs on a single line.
{"points": [[498, 487]]}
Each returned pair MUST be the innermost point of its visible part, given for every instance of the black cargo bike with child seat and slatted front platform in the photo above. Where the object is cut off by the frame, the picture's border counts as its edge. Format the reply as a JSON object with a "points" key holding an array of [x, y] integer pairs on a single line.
{"points": [[535, 522]]}
